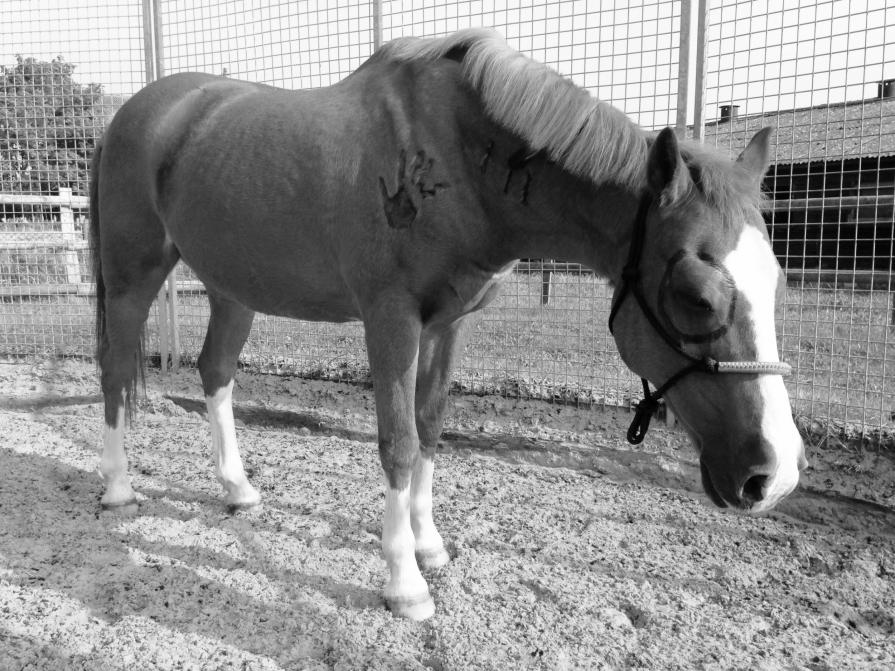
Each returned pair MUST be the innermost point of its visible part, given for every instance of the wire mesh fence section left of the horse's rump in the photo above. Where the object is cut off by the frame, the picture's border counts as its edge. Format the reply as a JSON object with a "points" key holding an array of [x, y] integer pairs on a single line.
{"points": [[64, 70]]}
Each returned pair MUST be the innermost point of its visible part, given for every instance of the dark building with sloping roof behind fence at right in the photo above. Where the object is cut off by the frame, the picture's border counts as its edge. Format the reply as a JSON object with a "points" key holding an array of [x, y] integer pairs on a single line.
{"points": [[832, 184]]}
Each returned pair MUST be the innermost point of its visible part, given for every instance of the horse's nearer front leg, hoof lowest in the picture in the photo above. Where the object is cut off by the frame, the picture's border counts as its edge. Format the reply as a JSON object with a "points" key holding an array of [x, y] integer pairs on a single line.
{"points": [[393, 332]]}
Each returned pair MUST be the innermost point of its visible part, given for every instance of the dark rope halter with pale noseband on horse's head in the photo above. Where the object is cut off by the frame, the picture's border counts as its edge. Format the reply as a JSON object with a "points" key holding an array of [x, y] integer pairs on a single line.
{"points": [[630, 283]]}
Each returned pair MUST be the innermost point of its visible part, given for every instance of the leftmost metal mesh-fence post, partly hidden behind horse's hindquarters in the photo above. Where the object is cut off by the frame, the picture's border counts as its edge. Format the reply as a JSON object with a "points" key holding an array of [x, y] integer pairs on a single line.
{"points": [[169, 333]]}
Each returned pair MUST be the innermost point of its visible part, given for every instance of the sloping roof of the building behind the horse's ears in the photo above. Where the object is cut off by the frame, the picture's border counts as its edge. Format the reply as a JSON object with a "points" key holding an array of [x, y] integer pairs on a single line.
{"points": [[822, 133]]}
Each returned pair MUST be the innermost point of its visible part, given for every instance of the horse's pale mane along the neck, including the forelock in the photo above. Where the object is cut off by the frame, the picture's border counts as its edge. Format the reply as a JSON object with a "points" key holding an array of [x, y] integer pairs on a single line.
{"points": [[586, 136]]}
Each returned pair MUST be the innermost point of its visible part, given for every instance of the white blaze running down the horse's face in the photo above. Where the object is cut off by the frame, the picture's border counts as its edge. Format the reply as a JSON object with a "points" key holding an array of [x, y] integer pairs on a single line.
{"points": [[756, 274]]}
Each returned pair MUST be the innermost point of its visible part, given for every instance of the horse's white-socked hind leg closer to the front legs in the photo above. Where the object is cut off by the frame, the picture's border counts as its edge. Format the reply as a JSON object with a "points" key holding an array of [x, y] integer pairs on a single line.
{"points": [[228, 329]]}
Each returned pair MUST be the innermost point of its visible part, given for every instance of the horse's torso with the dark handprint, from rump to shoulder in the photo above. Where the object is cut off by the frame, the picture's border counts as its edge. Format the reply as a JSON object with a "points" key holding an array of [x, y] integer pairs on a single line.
{"points": [[280, 199]]}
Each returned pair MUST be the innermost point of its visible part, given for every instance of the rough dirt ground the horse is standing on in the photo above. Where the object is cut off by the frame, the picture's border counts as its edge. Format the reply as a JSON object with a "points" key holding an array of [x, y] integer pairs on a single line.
{"points": [[570, 550]]}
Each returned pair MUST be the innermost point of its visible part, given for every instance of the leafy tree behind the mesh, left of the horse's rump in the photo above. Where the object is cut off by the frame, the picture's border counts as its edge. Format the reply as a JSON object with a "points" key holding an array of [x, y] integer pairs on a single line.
{"points": [[49, 125]]}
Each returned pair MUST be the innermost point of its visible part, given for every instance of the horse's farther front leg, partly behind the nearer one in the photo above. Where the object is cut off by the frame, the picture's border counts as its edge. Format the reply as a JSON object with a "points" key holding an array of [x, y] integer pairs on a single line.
{"points": [[438, 348]]}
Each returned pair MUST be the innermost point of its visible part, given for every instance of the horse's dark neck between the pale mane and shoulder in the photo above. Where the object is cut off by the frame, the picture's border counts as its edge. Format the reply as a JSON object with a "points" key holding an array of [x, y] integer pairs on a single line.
{"points": [[532, 207]]}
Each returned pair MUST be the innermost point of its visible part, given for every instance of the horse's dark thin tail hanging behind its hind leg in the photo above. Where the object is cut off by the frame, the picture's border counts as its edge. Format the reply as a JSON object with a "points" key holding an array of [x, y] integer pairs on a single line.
{"points": [[97, 271]]}
